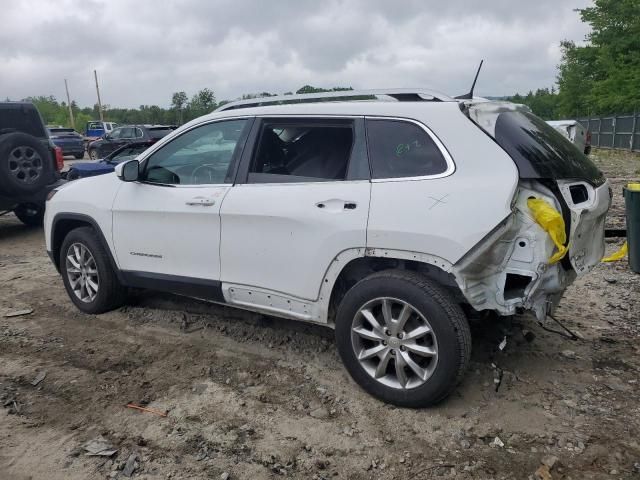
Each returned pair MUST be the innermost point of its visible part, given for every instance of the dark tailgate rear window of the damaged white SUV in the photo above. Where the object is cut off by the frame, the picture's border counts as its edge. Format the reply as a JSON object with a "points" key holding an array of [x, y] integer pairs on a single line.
{"points": [[540, 151]]}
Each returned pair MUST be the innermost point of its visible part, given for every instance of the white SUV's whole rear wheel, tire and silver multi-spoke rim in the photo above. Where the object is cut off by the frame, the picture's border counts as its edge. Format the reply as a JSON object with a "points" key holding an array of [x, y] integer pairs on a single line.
{"points": [[402, 338]]}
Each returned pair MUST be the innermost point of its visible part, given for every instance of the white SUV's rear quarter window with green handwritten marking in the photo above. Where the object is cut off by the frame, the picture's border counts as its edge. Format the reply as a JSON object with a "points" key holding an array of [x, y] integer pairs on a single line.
{"points": [[402, 149]]}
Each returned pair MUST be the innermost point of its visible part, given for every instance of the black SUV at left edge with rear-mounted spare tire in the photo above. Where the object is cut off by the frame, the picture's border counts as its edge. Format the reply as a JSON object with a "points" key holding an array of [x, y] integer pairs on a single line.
{"points": [[30, 163]]}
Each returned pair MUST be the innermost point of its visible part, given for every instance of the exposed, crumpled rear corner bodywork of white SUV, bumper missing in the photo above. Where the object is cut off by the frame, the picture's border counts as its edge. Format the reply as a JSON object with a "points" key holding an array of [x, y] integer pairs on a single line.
{"points": [[510, 269]]}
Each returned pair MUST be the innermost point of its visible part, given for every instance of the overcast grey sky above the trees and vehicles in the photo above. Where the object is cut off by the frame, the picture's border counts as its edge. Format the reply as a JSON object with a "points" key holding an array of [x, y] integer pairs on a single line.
{"points": [[144, 50]]}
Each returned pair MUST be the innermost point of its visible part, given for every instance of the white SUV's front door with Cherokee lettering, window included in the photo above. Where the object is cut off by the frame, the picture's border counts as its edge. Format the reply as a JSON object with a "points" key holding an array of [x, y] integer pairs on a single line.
{"points": [[168, 223]]}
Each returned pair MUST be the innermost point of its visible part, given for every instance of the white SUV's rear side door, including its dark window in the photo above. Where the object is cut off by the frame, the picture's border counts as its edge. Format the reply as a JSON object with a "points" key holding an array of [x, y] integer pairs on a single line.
{"points": [[302, 198]]}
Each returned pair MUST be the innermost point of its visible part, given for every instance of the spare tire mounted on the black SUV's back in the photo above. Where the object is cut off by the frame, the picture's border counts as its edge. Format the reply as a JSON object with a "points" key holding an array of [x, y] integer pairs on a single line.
{"points": [[25, 164]]}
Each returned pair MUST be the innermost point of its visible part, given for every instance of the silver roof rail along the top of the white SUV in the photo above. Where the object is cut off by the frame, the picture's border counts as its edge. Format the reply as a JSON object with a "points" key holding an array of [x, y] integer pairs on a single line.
{"points": [[399, 94]]}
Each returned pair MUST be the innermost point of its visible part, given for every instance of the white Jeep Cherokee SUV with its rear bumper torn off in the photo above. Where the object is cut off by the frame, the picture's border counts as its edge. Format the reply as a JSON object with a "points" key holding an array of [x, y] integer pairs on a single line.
{"points": [[388, 215]]}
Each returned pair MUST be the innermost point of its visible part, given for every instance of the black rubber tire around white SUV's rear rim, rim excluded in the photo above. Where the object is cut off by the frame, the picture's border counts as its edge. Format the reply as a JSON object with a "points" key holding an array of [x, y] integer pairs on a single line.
{"points": [[446, 319]]}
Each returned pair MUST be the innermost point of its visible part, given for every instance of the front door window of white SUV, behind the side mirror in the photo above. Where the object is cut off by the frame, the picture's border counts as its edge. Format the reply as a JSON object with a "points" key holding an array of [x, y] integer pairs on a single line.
{"points": [[202, 155]]}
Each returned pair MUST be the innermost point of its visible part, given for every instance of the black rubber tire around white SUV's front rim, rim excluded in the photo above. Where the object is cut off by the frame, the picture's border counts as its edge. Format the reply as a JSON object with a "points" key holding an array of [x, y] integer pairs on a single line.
{"points": [[110, 293]]}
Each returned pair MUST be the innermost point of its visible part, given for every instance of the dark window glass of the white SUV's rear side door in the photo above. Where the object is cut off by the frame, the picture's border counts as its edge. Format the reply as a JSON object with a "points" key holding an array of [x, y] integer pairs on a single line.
{"points": [[303, 151]]}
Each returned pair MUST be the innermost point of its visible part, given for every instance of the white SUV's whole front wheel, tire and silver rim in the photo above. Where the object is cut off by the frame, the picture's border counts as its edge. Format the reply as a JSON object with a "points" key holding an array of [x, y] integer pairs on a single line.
{"points": [[90, 281]]}
